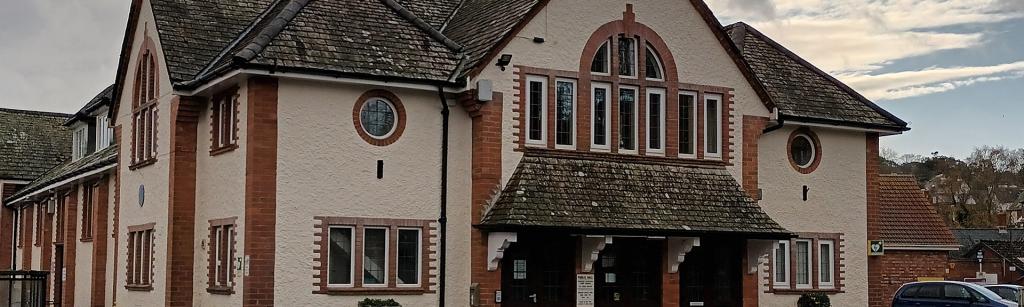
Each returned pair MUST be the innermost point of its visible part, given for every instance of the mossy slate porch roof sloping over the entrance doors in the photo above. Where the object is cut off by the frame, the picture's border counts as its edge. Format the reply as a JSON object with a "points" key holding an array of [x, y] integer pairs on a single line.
{"points": [[601, 194]]}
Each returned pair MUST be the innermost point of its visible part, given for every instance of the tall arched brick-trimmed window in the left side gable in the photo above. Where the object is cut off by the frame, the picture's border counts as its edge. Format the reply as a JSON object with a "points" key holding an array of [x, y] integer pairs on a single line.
{"points": [[145, 110]]}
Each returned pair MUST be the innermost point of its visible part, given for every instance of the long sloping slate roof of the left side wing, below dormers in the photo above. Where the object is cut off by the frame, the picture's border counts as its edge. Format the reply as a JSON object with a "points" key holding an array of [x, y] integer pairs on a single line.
{"points": [[69, 169]]}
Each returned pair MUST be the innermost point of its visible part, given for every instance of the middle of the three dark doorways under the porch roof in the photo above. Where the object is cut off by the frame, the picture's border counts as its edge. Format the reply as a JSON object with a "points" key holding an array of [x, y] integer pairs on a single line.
{"points": [[629, 274]]}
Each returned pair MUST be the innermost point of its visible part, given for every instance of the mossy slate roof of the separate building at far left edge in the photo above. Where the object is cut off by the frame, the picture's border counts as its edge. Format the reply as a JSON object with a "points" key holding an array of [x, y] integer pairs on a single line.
{"points": [[31, 143]]}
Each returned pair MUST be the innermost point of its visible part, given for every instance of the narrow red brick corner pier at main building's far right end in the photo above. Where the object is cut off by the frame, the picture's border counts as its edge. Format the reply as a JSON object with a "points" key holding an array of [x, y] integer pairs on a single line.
{"points": [[875, 267]]}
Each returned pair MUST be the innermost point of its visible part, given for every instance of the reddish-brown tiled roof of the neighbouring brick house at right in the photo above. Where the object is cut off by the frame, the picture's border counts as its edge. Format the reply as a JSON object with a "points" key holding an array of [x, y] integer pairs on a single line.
{"points": [[908, 216]]}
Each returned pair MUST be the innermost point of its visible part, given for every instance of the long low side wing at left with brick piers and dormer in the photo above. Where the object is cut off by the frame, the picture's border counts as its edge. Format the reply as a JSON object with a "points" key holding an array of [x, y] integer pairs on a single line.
{"points": [[68, 213]]}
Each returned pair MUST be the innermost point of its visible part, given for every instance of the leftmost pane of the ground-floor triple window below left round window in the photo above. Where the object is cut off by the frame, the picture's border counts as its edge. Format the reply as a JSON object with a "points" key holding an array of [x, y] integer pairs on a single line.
{"points": [[342, 256]]}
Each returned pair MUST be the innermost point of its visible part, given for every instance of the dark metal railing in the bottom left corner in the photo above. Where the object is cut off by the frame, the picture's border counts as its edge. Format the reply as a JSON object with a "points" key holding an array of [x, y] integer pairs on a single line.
{"points": [[23, 289]]}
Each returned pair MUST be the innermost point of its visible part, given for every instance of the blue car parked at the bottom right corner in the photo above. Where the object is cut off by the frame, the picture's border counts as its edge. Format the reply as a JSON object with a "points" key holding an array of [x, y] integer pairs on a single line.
{"points": [[953, 294]]}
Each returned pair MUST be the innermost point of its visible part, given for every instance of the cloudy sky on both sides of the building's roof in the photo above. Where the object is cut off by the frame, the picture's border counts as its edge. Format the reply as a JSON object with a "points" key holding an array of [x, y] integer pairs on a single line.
{"points": [[954, 69]]}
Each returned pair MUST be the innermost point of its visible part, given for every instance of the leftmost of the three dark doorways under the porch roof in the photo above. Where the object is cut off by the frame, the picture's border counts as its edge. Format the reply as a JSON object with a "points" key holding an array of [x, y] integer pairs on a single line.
{"points": [[539, 271]]}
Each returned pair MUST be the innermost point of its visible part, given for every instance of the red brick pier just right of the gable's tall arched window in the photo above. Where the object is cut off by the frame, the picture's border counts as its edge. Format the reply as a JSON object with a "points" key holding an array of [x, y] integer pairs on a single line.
{"points": [[182, 201]]}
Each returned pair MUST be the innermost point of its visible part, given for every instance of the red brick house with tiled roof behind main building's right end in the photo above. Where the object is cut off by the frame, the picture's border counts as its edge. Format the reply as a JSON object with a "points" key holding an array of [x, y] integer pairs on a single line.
{"points": [[917, 240]]}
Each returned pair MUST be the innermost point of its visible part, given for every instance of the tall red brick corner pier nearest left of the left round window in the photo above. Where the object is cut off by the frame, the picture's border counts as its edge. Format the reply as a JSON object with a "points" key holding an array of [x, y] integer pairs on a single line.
{"points": [[262, 188]]}
